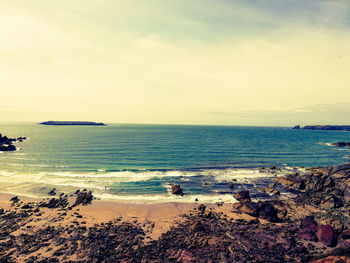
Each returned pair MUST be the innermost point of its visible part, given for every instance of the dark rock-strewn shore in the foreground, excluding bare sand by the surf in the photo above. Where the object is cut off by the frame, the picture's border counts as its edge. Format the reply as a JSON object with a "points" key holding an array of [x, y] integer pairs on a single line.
{"points": [[311, 224]]}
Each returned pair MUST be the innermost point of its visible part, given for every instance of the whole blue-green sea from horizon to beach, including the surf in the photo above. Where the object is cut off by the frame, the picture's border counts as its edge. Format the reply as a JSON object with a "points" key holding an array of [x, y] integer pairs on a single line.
{"points": [[138, 163]]}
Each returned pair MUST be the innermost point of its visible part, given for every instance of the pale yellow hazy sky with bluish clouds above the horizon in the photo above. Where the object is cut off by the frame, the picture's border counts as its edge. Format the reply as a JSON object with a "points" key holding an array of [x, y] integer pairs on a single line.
{"points": [[212, 62]]}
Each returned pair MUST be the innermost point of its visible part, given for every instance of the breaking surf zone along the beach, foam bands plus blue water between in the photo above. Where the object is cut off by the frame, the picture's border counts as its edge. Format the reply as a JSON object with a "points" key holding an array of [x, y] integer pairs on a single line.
{"points": [[140, 186]]}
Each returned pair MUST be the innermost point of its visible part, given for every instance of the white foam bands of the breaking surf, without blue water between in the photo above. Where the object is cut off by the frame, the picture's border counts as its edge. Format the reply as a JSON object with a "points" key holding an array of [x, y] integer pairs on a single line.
{"points": [[102, 183]]}
